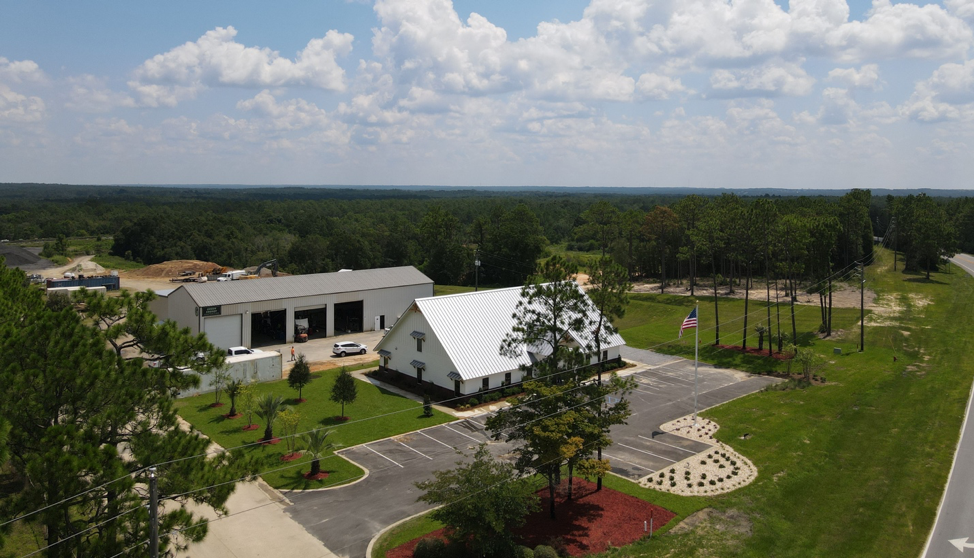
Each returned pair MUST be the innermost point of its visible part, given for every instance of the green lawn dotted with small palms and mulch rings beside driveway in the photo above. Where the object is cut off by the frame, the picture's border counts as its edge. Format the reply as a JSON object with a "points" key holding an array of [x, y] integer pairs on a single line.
{"points": [[375, 414]]}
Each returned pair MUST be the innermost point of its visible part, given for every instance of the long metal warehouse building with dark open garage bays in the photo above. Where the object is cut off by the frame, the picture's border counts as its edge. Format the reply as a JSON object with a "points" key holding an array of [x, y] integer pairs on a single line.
{"points": [[263, 311]]}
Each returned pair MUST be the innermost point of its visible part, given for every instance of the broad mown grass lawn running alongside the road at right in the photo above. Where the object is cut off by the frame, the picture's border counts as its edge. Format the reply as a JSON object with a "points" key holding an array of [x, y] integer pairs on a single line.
{"points": [[855, 467]]}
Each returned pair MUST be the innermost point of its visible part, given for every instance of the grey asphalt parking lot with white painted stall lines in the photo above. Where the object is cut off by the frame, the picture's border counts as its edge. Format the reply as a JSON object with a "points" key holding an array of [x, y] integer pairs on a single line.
{"points": [[345, 519]]}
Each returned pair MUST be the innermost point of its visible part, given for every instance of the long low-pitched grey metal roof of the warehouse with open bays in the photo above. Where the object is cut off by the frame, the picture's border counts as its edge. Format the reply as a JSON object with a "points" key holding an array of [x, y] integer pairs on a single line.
{"points": [[294, 286]]}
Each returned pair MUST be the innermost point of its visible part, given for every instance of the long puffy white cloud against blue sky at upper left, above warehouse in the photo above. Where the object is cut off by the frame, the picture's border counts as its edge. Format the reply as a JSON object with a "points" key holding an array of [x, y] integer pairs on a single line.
{"points": [[216, 59]]}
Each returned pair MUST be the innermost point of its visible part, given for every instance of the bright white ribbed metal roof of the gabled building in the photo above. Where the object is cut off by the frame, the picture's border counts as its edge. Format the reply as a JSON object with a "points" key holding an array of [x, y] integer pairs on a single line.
{"points": [[472, 326]]}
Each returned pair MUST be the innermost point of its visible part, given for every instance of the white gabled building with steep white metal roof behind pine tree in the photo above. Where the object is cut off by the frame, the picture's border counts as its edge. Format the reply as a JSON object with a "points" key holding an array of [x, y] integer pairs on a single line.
{"points": [[454, 341]]}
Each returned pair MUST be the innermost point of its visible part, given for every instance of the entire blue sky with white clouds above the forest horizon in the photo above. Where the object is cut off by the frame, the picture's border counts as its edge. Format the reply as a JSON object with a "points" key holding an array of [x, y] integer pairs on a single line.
{"points": [[698, 93]]}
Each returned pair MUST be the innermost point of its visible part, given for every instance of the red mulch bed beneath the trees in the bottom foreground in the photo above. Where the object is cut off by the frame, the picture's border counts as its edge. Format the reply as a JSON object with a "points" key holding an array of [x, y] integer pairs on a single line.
{"points": [[588, 524]]}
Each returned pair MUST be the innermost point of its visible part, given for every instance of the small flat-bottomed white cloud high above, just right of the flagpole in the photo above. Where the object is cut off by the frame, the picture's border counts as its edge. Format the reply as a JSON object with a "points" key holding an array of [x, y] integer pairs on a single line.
{"points": [[769, 80]]}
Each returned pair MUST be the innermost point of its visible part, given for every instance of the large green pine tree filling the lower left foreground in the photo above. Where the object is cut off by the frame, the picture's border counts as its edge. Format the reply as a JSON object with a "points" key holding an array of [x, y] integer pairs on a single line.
{"points": [[72, 402]]}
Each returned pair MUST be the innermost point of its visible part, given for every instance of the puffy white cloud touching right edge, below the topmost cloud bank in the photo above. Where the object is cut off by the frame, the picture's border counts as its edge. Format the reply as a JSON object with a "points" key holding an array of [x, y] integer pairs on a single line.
{"points": [[947, 95]]}
